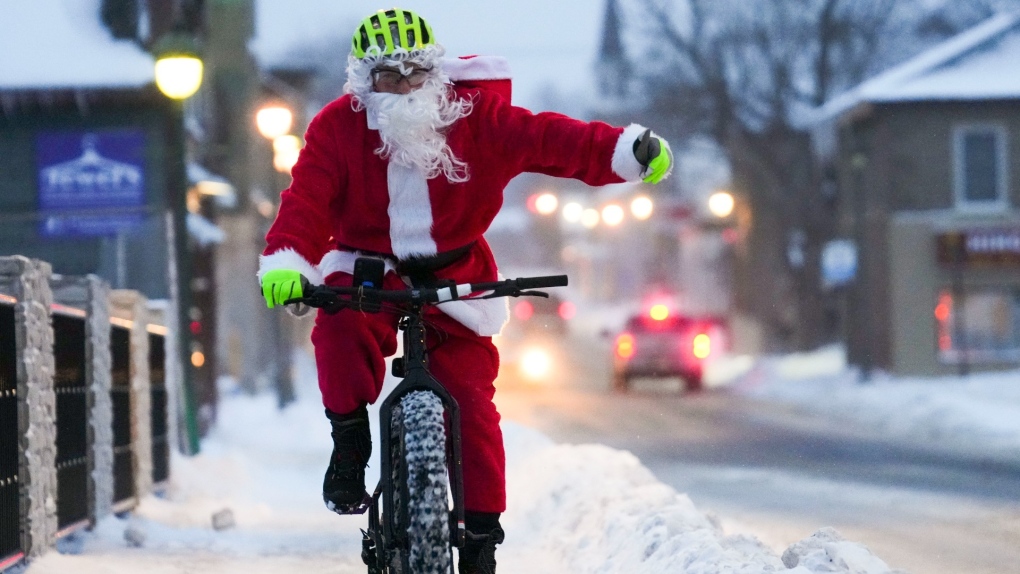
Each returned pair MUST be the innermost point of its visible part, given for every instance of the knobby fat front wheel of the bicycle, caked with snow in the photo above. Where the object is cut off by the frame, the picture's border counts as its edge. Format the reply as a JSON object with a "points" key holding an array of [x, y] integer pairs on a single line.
{"points": [[421, 483]]}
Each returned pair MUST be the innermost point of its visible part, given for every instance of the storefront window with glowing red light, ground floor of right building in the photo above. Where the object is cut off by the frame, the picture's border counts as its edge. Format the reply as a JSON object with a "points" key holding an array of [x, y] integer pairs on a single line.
{"points": [[983, 327]]}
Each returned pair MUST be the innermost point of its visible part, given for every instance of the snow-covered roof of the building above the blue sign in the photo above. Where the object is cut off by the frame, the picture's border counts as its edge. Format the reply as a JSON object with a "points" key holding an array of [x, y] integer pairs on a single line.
{"points": [[62, 44]]}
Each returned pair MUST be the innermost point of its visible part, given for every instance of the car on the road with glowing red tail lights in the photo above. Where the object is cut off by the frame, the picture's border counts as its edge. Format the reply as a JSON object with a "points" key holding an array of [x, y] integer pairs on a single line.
{"points": [[660, 343]]}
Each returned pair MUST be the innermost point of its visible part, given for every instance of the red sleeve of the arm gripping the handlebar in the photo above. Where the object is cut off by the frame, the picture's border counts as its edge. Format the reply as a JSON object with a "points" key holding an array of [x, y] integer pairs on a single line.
{"points": [[303, 225]]}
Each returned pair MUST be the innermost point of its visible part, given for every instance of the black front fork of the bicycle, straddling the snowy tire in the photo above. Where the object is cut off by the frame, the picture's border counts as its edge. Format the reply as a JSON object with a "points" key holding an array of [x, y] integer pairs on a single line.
{"points": [[417, 378]]}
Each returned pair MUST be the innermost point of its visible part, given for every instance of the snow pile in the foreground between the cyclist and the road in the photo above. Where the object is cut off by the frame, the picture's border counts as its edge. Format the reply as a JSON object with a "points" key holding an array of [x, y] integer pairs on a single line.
{"points": [[594, 509]]}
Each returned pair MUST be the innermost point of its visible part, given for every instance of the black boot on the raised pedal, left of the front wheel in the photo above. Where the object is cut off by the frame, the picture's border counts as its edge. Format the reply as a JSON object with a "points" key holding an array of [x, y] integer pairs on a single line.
{"points": [[344, 486]]}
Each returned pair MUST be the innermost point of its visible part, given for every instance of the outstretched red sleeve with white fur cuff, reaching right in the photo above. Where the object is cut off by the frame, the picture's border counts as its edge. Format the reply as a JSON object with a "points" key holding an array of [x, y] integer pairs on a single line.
{"points": [[557, 145]]}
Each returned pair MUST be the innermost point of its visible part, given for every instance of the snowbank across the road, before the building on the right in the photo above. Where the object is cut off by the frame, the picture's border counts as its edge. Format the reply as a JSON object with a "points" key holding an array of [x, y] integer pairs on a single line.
{"points": [[976, 416]]}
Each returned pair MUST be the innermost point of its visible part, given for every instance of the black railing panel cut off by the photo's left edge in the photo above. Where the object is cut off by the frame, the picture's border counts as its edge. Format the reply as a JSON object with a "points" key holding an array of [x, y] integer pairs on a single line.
{"points": [[11, 516]]}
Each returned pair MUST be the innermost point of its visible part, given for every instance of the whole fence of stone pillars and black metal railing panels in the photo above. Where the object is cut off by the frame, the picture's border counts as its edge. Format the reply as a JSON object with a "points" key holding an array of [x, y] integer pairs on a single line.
{"points": [[84, 409]]}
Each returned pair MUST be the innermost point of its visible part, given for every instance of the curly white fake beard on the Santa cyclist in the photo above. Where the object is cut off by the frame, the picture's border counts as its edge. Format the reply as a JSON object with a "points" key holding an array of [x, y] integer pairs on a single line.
{"points": [[412, 128]]}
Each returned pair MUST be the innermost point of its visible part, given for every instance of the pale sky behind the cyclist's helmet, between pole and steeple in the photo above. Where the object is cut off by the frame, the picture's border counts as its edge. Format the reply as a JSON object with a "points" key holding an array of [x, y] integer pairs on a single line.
{"points": [[547, 43]]}
